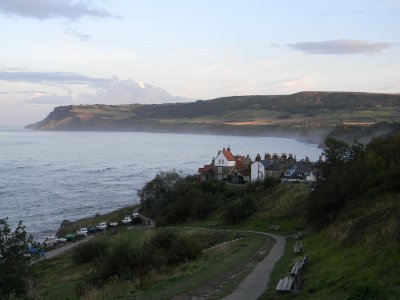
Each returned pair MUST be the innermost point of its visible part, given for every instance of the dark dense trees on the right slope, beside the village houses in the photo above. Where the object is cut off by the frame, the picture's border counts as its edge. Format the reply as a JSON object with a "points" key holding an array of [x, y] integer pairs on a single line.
{"points": [[351, 173]]}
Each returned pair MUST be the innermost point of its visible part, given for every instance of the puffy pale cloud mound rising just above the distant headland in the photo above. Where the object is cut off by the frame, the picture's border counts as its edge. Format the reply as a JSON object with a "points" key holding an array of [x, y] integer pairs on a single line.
{"points": [[128, 91]]}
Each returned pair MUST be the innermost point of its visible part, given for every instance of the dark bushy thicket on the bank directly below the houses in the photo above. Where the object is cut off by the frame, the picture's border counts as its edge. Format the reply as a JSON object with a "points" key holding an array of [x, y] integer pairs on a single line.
{"points": [[170, 199]]}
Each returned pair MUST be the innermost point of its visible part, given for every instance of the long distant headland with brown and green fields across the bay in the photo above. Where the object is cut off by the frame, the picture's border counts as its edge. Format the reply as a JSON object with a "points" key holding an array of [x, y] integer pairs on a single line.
{"points": [[307, 115]]}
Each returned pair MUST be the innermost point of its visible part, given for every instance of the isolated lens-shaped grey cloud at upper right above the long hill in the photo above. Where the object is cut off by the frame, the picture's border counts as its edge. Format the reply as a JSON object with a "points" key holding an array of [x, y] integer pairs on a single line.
{"points": [[340, 47]]}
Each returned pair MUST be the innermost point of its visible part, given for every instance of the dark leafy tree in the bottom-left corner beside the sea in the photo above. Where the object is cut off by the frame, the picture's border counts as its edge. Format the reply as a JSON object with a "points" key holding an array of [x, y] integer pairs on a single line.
{"points": [[15, 259]]}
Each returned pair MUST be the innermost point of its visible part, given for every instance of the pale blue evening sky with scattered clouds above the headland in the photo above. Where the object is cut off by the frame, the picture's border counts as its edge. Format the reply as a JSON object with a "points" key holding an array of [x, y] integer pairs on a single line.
{"points": [[63, 52]]}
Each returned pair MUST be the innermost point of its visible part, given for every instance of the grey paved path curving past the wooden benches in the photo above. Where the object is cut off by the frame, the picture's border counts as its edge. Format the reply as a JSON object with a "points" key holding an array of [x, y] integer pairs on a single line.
{"points": [[256, 282]]}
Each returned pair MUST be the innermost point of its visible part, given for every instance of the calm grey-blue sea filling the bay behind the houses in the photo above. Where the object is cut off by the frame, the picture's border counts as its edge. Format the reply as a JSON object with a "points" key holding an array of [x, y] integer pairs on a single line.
{"points": [[48, 177]]}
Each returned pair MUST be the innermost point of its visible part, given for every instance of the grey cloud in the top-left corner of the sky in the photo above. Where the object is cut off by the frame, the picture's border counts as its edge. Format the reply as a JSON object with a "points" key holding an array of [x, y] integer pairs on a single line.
{"points": [[49, 9]]}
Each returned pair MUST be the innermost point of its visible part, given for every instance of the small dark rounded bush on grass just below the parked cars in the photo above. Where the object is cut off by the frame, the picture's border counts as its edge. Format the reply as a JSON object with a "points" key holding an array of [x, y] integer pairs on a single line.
{"points": [[89, 251]]}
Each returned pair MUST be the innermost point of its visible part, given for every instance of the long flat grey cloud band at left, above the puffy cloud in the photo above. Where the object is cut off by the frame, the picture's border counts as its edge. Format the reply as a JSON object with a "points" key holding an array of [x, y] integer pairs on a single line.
{"points": [[49, 77]]}
